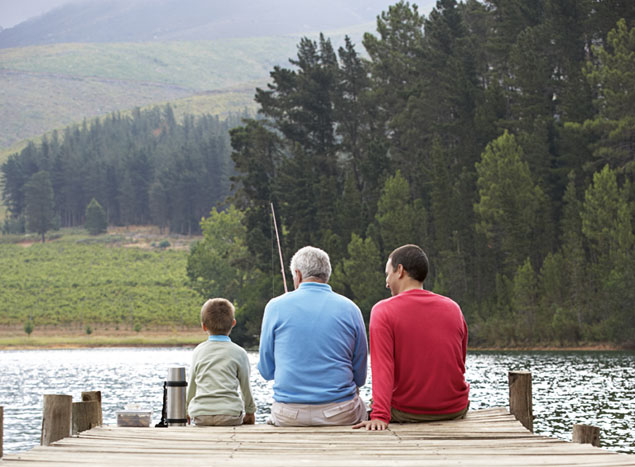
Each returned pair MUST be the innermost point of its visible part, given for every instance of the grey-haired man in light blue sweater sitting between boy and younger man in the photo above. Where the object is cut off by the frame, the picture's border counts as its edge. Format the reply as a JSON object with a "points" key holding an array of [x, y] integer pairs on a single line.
{"points": [[313, 345]]}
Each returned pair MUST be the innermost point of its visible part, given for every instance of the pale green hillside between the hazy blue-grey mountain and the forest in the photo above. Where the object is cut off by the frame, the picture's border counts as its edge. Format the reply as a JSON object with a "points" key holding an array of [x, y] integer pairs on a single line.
{"points": [[47, 87]]}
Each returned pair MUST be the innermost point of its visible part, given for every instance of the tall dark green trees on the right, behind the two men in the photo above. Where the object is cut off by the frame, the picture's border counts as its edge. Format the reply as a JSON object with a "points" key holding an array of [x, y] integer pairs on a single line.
{"points": [[497, 135]]}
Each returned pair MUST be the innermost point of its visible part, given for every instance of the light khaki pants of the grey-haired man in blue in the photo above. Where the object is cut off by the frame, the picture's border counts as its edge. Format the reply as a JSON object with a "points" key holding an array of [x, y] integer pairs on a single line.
{"points": [[333, 413]]}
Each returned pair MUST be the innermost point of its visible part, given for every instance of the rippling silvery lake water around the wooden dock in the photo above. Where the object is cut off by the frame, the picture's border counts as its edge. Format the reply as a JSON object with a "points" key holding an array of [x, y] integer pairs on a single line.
{"points": [[596, 388]]}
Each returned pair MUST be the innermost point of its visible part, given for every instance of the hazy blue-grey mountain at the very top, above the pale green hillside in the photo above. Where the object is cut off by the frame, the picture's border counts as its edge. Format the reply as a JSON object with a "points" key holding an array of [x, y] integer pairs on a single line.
{"points": [[170, 20]]}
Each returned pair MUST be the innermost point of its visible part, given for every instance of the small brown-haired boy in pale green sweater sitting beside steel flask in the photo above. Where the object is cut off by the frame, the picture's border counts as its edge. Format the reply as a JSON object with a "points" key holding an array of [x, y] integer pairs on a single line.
{"points": [[218, 367]]}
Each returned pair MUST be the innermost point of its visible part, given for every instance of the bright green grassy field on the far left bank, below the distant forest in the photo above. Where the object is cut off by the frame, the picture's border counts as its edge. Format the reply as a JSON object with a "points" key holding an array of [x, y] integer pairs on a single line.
{"points": [[125, 281]]}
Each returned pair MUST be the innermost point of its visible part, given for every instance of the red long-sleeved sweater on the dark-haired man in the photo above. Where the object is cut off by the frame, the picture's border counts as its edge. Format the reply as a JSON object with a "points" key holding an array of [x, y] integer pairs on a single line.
{"points": [[418, 344]]}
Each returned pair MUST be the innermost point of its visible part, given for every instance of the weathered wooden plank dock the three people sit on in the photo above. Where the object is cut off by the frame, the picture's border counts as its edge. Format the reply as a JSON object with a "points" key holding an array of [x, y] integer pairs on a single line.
{"points": [[490, 437]]}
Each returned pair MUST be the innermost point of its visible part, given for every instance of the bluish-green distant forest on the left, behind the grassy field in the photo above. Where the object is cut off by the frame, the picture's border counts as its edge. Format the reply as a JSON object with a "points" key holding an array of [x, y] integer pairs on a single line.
{"points": [[142, 169]]}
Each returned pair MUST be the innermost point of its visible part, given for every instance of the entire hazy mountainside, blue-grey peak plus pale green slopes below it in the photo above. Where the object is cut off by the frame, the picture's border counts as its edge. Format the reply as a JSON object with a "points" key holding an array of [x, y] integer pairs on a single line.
{"points": [[93, 57]]}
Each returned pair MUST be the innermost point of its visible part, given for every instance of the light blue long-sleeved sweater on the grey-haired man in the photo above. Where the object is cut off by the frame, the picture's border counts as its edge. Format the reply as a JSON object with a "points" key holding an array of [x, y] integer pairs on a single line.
{"points": [[313, 345]]}
